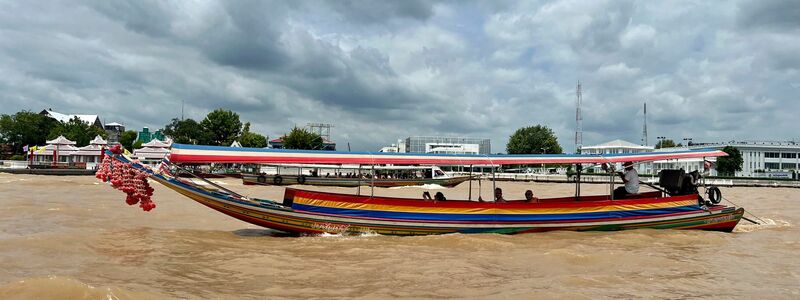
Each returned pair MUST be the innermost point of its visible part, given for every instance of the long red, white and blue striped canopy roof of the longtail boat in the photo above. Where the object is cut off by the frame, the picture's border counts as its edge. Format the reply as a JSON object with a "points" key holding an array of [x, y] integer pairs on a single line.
{"points": [[182, 153]]}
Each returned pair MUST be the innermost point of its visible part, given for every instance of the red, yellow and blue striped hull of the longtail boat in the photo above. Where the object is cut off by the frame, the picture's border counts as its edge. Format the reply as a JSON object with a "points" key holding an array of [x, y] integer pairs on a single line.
{"points": [[309, 212]]}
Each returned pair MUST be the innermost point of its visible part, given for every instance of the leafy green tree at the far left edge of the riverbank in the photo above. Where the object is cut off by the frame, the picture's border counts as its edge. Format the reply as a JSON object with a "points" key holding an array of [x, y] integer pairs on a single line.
{"points": [[25, 128]]}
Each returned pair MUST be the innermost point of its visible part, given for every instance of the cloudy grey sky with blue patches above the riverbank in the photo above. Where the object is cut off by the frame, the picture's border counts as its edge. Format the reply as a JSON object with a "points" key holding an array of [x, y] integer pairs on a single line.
{"points": [[379, 71]]}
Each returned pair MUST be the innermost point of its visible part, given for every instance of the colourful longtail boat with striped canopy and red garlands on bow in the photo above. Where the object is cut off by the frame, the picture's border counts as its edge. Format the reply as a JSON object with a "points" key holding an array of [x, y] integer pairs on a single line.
{"points": [[313, 212]]}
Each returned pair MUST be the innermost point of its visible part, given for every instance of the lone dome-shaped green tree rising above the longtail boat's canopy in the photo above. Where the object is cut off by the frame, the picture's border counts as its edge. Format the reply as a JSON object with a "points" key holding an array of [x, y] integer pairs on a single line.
{"points": [[533, 140]]}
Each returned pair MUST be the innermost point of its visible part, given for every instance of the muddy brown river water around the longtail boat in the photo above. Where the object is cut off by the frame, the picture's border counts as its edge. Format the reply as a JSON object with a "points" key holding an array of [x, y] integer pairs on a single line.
{"points": [[74, 238]]}
